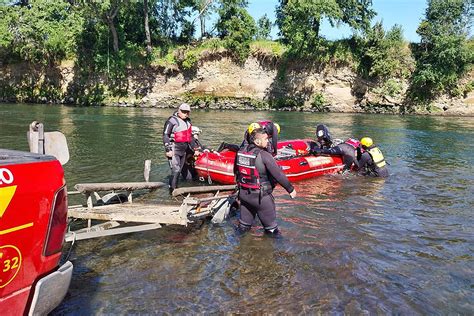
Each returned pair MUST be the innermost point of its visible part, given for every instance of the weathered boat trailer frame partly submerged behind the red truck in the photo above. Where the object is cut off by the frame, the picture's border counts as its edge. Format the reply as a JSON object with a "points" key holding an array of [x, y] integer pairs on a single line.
{"points": [[128, 216]]}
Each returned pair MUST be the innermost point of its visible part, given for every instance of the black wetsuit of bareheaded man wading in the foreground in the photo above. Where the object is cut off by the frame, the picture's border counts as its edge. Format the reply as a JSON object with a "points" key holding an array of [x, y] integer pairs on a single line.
{"points": [[261, 203]]}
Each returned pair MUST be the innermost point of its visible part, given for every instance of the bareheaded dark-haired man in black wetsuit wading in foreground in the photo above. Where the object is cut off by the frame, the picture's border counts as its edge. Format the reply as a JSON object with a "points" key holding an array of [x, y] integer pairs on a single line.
{"points": [[257, 174]]}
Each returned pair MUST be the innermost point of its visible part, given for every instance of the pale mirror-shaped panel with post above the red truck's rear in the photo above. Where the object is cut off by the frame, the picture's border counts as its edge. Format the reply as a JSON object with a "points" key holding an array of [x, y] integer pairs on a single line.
{"points": [[49, 143]]}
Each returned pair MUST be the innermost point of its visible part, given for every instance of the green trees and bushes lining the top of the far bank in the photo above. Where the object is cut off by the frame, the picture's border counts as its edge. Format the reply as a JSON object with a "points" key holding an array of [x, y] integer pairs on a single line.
{"points": [[105, 39]]}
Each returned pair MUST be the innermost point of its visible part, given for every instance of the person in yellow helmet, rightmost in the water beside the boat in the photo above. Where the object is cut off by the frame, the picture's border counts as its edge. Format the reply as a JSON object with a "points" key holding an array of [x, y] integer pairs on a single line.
{"points": [[372, 162]]}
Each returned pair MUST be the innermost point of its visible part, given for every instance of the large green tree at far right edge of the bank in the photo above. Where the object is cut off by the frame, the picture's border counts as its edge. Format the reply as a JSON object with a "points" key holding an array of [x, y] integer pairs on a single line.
{"points": [[443, 55]]}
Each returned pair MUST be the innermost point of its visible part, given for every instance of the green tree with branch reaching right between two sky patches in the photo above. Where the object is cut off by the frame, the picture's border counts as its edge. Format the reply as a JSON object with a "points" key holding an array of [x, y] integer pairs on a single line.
{"points": [[299, 21]]}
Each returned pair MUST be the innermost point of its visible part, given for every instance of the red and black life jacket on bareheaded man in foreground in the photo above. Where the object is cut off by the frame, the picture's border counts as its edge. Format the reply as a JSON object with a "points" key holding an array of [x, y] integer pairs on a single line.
{"points": [[248, 174]]}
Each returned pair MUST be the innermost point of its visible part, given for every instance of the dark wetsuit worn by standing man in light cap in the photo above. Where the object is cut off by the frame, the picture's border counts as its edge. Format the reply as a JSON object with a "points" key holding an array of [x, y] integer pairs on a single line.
{"points": [[176, 124]]}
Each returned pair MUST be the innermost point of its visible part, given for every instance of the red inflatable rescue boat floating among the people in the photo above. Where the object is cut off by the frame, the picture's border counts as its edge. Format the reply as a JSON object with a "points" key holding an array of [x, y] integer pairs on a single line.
{"points": [[293, 158]]}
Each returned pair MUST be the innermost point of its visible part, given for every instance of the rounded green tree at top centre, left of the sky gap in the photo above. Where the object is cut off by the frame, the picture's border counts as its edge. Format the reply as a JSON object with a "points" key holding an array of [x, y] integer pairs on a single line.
{"points": [[236, 27]]}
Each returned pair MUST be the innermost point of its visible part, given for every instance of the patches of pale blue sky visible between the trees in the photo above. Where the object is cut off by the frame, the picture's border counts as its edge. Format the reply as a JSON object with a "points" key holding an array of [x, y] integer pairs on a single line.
{"points": [[407, 13]]}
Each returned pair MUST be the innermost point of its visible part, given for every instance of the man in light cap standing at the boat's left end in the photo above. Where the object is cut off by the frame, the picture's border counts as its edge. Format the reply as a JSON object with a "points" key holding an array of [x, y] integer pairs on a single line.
{"points": [[177, 140]]}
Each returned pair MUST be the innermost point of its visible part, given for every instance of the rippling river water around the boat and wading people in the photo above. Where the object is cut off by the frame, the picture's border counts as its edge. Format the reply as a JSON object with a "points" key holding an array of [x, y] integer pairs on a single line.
{"points": [[350, 244]]}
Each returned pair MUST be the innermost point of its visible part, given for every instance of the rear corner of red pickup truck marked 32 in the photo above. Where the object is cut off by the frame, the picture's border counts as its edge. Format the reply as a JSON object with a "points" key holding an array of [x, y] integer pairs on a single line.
{"points": [[33, 222]]}
